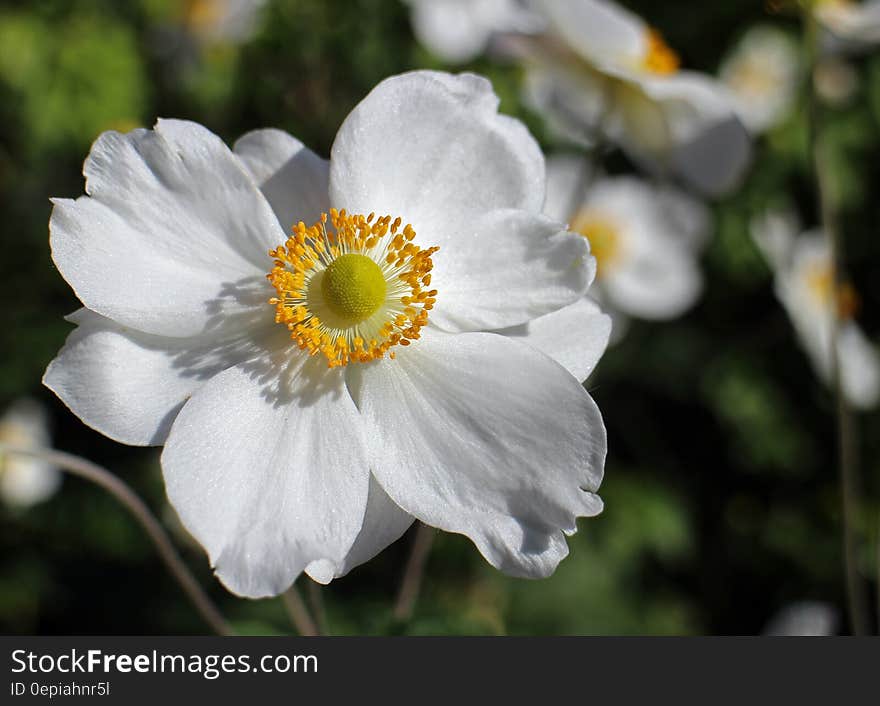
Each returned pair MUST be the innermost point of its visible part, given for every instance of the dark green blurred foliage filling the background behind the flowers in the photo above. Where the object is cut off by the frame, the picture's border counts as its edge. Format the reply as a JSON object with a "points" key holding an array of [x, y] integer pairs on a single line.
{"points": [[721, 489]]}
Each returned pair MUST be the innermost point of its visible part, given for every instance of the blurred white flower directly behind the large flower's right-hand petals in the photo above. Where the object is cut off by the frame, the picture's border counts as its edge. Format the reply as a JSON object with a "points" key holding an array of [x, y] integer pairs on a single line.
{"points": [[645, 238]]}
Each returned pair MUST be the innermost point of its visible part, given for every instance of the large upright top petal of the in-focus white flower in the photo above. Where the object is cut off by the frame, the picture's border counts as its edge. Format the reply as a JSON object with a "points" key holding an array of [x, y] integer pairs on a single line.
{"points": [[431, 148]]}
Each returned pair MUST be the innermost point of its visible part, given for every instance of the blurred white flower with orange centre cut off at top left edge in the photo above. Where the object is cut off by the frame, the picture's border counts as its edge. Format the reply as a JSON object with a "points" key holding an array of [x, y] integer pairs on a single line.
{"points": [[221, 21]]}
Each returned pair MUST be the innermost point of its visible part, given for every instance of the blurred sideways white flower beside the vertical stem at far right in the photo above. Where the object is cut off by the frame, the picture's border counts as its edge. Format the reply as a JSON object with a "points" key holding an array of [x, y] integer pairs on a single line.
{"points": [[805, 286]]}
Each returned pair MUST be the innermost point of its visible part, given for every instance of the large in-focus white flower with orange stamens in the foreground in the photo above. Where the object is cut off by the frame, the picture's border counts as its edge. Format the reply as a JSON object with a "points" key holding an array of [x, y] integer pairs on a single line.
{"points": [[279, 461]]}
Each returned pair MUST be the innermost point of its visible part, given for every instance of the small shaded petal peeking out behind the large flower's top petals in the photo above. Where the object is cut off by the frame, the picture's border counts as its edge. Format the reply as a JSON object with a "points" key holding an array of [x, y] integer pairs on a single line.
{"points": [[293, 179]]}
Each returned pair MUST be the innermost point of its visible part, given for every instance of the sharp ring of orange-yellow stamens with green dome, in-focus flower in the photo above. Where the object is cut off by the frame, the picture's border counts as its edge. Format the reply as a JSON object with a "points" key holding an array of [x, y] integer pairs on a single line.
{"points": [[353, 288]]}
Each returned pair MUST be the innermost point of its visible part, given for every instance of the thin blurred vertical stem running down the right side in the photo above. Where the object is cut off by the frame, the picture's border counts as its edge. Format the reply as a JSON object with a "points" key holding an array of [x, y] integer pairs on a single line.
{"points": [[847, 443]]}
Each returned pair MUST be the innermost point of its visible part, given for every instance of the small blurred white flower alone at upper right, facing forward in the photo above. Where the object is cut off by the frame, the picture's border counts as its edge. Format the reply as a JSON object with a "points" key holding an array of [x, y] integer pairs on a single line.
{"points": [[762, 75]]}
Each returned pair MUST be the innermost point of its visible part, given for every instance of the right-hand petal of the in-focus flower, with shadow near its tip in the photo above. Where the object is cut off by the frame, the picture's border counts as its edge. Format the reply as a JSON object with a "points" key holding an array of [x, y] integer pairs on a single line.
{"points": [[510, 267]]}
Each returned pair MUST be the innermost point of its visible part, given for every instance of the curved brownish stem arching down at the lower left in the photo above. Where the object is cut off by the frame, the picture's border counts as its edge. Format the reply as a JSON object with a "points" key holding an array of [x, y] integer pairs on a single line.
{"points": [[131, 501]]}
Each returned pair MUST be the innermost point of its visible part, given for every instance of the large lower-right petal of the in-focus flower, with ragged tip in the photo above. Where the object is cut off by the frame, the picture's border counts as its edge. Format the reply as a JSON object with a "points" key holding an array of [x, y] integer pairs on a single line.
{"points": [[479, 434]]}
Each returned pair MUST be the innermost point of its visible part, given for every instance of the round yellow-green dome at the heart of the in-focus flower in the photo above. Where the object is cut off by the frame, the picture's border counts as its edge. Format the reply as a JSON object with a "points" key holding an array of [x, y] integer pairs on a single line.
{"points": [[353, 287]]}
